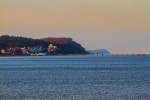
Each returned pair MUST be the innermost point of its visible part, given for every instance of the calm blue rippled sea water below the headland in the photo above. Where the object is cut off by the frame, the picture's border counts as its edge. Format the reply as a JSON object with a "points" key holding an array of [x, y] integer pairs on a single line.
{"points": [[75, 78]]}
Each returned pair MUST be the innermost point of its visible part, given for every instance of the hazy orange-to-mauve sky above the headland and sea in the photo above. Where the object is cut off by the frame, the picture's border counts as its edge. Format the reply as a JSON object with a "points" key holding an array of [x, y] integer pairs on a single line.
{"points": [[121, 26]]}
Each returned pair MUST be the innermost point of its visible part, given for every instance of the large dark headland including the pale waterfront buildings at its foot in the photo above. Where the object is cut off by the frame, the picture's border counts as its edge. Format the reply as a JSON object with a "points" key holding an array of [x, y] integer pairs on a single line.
{"points": [[14, 45]]}
